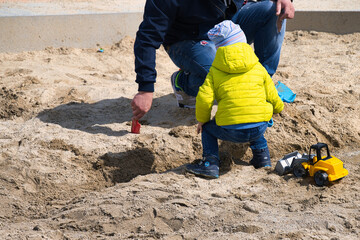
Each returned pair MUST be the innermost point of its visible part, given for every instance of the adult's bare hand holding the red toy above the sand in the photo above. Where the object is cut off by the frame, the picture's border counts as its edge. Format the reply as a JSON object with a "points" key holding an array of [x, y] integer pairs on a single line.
{"points": [[141, 104]]}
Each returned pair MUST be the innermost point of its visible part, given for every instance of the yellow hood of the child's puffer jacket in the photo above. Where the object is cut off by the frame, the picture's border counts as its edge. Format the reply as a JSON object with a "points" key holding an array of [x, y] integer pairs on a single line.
{"points": [[235, 58]]}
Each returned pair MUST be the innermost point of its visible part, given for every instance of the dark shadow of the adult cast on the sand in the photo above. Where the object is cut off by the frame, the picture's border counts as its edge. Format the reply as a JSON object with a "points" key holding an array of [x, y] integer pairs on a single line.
{"points": [[95, 117]]}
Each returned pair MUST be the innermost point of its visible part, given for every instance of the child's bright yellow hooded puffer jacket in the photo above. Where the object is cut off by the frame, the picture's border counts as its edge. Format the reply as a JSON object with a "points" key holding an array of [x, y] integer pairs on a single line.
{"points": [[243, 89]]}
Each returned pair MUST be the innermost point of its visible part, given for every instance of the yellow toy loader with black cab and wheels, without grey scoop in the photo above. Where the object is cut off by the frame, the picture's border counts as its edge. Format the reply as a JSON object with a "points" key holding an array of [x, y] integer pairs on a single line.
{"points": [[324, 168]]}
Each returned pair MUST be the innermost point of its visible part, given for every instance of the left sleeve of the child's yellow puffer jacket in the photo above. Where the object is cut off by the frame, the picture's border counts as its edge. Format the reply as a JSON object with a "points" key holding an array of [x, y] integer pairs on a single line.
{"points": [[205, 99]]}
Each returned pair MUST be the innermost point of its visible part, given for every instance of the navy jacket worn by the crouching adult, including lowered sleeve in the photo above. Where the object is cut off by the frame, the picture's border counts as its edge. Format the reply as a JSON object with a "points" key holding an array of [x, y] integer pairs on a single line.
{"points": [[169, 21]]}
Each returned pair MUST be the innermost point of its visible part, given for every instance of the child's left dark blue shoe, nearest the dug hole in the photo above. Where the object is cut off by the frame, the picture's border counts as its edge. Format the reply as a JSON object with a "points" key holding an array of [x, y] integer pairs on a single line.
{"points": [[208, 167]]}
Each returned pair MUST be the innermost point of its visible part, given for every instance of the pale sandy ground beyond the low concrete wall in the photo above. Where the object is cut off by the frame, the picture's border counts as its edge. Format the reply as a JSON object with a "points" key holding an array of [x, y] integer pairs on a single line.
{"points": [[55, 7]]}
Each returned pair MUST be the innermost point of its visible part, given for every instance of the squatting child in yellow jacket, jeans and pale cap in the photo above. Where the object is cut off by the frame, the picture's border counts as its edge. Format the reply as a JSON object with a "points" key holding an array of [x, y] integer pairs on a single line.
{"points": [[246, 97]]}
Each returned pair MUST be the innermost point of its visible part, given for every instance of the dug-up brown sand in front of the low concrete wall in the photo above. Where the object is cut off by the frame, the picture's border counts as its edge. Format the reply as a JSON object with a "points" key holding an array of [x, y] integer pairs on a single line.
{"points": [[71, 169]]}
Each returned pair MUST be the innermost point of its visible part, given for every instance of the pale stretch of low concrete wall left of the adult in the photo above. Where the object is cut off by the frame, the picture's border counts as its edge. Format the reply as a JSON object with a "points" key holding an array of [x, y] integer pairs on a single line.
{"points": [[82, 31]]}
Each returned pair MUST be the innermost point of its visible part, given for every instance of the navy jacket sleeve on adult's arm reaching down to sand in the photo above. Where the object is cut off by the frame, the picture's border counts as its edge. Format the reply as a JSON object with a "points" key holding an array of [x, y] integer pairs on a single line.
{"points": [[158, 16]]}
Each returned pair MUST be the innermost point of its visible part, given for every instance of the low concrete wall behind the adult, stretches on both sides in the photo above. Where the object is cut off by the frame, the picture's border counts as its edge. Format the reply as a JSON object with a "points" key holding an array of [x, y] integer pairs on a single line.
{"points": [[86, 30]]}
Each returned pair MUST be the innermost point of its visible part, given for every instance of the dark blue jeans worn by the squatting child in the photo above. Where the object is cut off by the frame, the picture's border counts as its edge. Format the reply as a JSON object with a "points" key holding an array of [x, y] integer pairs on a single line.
{"points": [[212, 132]]}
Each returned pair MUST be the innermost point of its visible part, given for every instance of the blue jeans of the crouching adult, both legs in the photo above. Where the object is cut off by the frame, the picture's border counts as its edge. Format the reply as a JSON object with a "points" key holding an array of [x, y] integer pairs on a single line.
{"points": [[257, 20]]}
